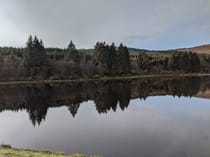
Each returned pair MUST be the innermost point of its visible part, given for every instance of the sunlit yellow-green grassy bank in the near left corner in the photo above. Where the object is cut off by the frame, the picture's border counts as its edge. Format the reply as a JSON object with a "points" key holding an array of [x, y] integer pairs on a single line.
{"points": [[7, 151]]}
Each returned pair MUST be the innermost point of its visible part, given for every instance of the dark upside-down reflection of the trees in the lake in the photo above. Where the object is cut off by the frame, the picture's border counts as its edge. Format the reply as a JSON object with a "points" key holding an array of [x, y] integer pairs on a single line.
{"points": [[37, 99]]}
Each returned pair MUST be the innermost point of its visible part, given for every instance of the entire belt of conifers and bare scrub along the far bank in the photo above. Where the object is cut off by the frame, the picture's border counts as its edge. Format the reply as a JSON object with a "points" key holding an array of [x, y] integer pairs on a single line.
{"points": [[36, 61]]}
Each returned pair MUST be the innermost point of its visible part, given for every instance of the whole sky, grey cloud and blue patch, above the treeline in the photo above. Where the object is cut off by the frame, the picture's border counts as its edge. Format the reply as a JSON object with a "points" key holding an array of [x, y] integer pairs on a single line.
{"points": [[149, 24]]}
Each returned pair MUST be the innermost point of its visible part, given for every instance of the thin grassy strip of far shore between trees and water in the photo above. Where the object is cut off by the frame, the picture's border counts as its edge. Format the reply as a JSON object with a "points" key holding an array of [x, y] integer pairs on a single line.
{"points": [[105, 78]]}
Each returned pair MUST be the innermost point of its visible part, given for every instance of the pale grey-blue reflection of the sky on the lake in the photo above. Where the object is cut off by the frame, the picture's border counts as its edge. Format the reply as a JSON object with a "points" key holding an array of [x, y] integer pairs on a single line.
{"points": [[161, 126]]}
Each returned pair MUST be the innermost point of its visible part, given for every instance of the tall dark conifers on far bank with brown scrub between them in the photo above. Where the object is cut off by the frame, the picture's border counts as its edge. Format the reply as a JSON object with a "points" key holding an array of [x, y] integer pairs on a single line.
{"points": [[105, 60]]}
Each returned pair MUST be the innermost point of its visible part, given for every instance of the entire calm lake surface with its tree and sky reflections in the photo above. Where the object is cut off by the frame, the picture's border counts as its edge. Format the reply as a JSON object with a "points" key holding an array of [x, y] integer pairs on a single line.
{"points": [[148, 117]]}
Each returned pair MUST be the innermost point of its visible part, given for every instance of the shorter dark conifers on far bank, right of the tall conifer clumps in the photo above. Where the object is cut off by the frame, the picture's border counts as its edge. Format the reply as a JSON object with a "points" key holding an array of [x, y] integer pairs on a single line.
{"points": [[178, 61]]}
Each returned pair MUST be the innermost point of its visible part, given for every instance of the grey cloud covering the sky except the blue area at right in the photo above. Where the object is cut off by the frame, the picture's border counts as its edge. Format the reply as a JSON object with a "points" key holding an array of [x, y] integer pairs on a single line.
{"points": [[85, 22]]}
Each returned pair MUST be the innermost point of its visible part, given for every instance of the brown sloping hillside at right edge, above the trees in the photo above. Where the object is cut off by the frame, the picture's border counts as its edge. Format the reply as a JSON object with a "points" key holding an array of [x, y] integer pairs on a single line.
{"points": [[204, 49]]}
